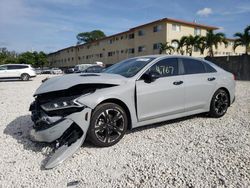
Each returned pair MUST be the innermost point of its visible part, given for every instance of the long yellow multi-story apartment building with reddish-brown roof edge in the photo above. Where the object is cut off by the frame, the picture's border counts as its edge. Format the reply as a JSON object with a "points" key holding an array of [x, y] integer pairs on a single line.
{"points": [[141, 40]]}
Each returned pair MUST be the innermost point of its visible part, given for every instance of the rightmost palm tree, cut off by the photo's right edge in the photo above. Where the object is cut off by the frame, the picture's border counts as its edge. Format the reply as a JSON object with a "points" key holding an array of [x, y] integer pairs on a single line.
{"points": [[243, 39]]}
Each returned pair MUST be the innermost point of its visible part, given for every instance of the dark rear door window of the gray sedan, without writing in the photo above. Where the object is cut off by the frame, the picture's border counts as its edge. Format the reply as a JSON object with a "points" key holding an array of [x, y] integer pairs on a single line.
{"points": [[192, 66]]}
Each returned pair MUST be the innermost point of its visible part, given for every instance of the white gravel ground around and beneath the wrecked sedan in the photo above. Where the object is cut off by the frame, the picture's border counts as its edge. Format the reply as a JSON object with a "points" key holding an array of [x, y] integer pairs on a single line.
{"points": [[190, 152]]}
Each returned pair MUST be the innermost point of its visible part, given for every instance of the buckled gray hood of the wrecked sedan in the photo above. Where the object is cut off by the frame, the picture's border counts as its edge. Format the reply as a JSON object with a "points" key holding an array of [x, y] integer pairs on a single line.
{"points": [[64, 82]]}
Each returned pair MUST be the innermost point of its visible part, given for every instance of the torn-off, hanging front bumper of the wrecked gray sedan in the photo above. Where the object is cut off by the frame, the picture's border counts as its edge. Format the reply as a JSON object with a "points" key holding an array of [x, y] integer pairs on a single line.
{"points": [[69, 131]]}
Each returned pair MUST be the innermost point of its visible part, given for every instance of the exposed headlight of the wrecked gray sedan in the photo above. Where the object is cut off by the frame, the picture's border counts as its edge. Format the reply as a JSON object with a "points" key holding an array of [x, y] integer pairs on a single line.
{"points": [[62, 103]]}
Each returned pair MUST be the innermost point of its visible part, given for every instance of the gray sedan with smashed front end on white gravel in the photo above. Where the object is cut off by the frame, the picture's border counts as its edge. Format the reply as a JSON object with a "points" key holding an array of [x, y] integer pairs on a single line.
{"points": [[133, 93]]}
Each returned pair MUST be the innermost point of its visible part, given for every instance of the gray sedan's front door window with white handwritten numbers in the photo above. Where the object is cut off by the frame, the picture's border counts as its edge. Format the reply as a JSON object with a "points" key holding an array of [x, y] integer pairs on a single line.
{"points": [[165, 67]]}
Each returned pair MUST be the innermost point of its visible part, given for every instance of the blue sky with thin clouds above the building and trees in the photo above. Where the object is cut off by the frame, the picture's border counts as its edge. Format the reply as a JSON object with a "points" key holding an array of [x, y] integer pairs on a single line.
{"points": [[49, 25]]}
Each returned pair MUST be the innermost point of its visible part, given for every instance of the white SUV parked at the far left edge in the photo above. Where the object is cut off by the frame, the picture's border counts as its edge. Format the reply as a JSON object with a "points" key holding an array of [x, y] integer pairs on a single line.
{"points": [[21, 71]]}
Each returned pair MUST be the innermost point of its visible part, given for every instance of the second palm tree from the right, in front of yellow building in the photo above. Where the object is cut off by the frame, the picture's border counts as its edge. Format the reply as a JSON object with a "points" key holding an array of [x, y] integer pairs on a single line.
{"points": [[212, 40]]}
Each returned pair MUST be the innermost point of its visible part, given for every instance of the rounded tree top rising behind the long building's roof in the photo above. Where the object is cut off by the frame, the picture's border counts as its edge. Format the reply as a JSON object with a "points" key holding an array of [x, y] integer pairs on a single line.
{"points": [[87, 37]]}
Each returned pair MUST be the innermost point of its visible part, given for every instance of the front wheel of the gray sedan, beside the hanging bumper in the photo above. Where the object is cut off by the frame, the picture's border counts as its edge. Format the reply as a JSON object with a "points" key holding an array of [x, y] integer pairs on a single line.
{"points": [[108, 125]]}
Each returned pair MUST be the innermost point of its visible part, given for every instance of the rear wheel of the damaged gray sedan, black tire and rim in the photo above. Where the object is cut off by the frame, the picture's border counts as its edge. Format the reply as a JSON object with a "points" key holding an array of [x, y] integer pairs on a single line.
{"points": [[219, 104]]}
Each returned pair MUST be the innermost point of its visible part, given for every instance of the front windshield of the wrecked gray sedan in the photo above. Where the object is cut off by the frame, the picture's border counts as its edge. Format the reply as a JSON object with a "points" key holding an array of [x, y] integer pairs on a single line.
{"points": [[129, 67]]}
